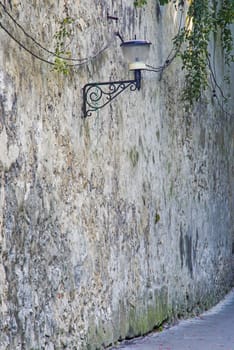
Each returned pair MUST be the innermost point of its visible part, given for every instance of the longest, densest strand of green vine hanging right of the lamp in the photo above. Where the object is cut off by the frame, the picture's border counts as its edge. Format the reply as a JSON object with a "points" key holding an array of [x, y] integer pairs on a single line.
{"points": [[193, 41]]}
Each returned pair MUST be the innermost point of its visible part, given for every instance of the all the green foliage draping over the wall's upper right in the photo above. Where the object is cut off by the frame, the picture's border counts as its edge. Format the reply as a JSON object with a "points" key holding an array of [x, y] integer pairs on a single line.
{"points": [[205, 19]]}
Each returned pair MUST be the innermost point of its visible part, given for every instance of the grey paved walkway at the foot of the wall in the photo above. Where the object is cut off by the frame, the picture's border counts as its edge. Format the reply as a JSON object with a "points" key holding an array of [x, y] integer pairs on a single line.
{"points": [[213, 330]]}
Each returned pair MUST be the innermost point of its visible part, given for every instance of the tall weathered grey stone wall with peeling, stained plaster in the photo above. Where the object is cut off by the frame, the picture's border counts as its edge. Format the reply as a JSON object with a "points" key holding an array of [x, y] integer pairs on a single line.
{"points": [[109, 225]]}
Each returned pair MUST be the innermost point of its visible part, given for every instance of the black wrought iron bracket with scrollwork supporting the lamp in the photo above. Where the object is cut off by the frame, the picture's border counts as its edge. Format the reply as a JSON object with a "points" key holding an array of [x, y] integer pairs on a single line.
{"points": [[98, 95]]}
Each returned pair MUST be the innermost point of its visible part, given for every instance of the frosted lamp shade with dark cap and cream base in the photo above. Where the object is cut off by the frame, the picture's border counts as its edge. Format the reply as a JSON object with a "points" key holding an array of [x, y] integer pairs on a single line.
{"points": [[136, 52]]}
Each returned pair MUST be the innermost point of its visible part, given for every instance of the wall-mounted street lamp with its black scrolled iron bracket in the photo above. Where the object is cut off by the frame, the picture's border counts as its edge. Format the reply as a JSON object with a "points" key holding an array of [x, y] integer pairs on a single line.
{"points": [[98, 95]]}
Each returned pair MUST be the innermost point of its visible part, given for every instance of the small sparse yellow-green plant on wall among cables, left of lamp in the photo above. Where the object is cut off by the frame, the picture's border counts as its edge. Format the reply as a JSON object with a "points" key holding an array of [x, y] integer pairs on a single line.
{"points": [[61, 36]]}
